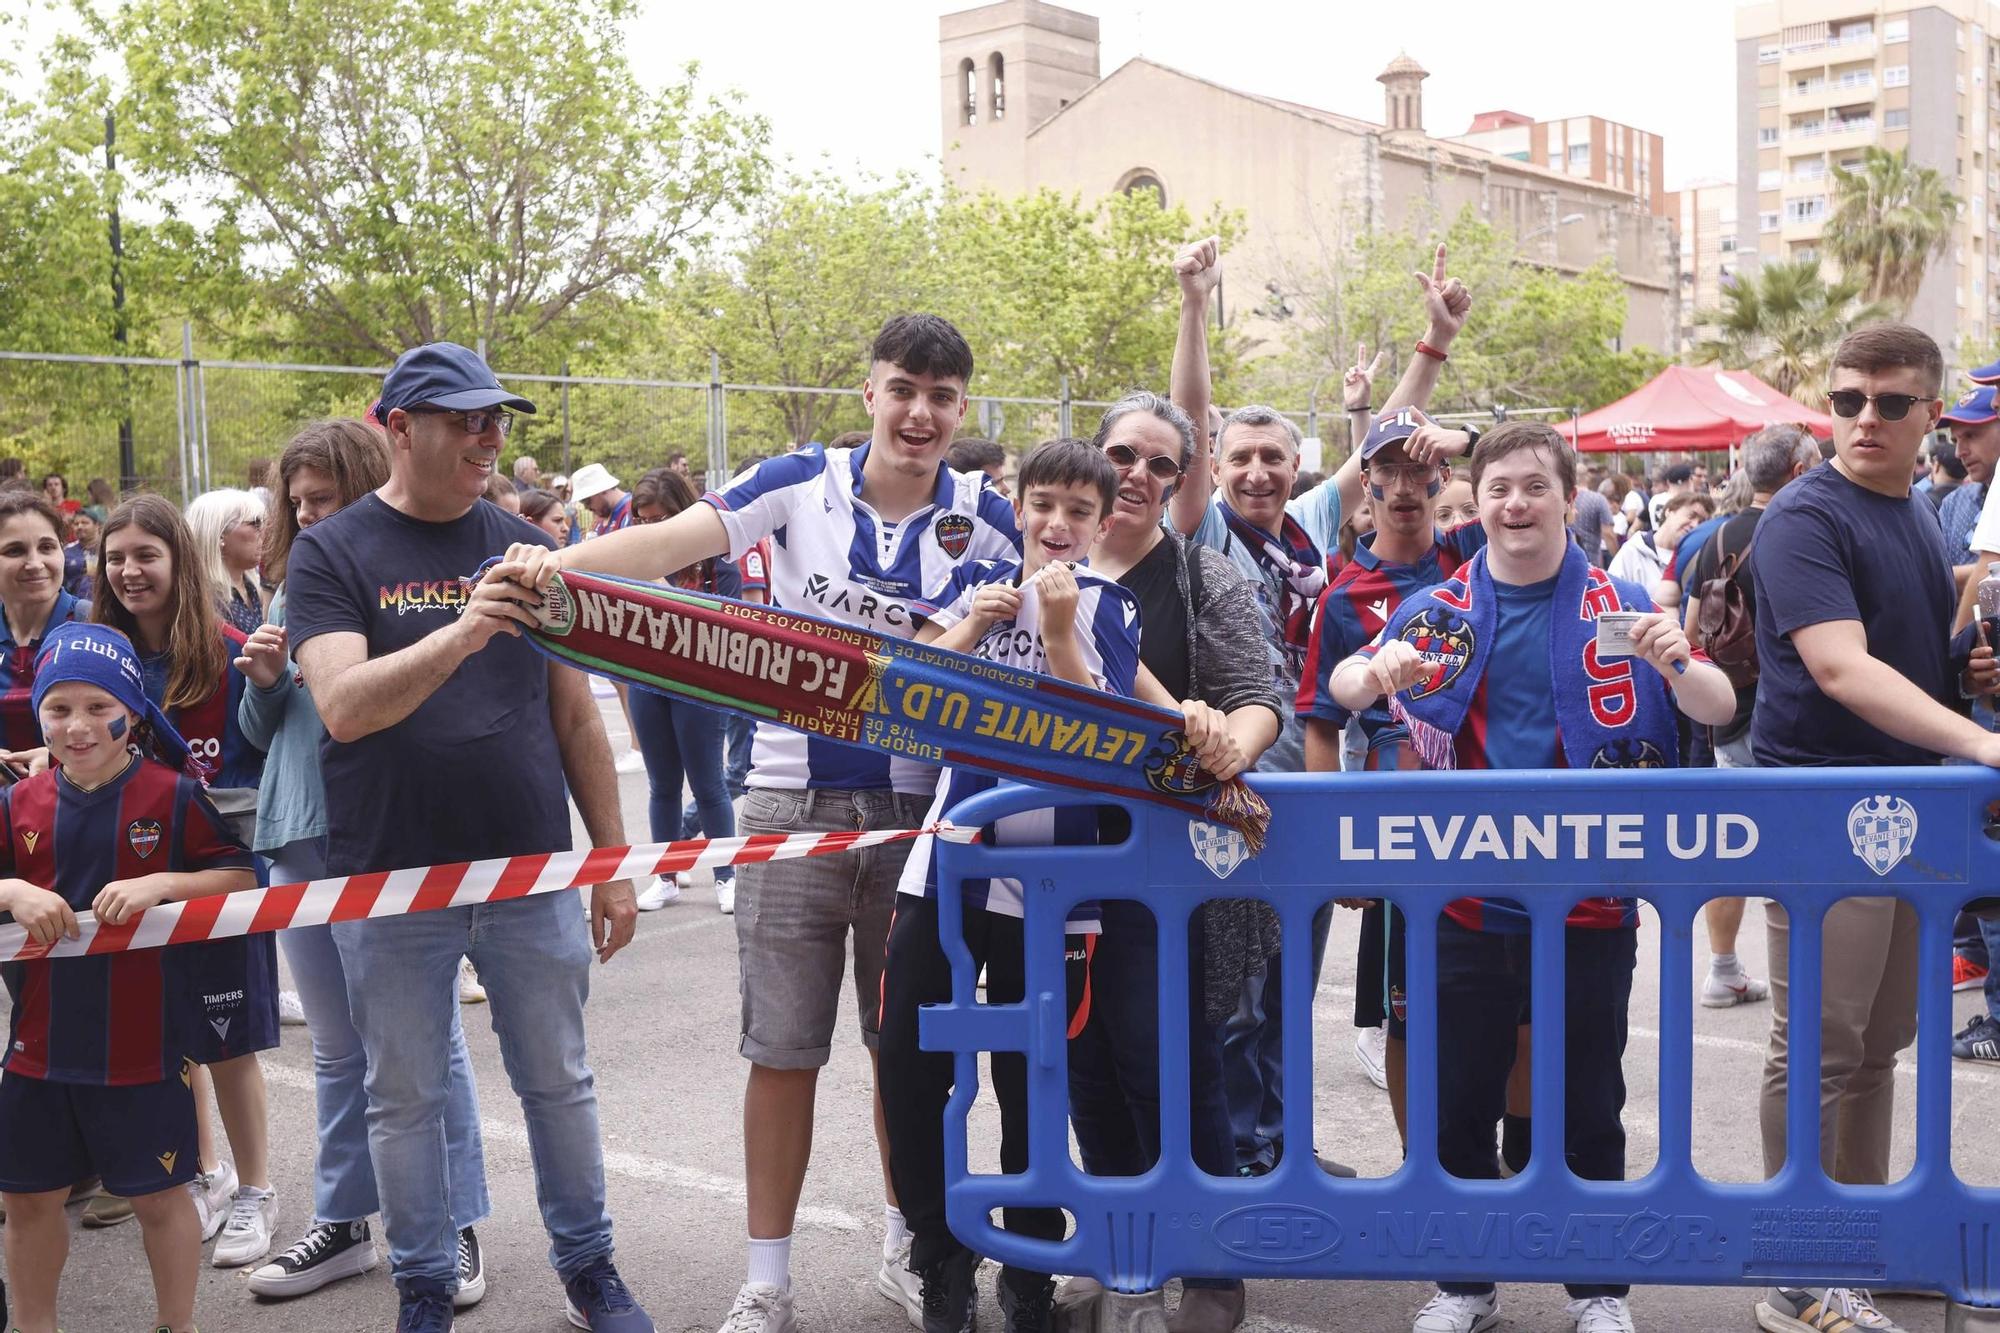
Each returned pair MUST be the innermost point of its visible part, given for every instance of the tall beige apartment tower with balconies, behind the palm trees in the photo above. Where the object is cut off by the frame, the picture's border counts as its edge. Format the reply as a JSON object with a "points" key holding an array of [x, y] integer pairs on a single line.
{"points": [[1821, 81]]}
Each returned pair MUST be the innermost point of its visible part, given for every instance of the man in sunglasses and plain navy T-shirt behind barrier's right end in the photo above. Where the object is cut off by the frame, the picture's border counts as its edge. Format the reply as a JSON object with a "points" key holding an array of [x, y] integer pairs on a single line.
{"points": [[1859, 668]]}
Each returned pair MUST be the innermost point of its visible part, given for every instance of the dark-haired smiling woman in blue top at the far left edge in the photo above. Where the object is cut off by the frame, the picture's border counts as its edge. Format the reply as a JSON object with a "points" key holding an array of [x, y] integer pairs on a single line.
{"points": [[35, 603]]}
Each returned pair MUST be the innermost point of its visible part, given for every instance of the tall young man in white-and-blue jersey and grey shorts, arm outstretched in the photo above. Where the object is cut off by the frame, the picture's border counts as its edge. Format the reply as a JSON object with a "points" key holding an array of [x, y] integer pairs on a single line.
{"points": [[859, 535]]}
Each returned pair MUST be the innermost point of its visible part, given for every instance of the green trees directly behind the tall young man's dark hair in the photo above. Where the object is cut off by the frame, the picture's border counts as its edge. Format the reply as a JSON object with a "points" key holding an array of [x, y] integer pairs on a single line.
{"points": [[1043, 287]]}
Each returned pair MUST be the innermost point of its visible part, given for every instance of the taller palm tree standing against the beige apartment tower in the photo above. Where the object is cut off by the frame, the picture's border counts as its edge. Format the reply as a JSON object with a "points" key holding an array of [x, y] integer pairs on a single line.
{"points": [[1889, 221]]}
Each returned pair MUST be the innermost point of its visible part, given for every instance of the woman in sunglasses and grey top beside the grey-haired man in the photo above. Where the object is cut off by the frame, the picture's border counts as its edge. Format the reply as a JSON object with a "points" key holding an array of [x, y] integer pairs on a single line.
{"points": [[1203, 641]]}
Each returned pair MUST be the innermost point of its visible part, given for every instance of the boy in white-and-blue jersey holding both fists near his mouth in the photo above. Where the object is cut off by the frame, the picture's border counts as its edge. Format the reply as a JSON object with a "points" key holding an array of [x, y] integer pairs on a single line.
{"points": [[1057, 617]]}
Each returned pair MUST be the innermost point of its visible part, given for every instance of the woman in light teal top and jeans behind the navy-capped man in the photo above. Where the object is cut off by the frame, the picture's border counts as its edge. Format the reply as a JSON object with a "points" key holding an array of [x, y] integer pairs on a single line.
{"points": [[327, 467]]}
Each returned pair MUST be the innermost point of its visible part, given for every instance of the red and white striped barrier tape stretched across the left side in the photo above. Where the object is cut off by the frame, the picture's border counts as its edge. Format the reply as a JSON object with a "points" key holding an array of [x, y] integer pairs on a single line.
{"points": [[465, 884]]}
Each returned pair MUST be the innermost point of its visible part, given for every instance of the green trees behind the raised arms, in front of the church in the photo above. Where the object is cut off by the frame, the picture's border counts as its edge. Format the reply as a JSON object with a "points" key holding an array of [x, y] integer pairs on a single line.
{"points": [[1539, 337]]}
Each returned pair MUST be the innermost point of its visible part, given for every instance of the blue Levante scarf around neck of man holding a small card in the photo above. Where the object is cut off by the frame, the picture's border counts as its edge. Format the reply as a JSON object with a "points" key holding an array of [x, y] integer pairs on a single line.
{"points": [[1609, 716]]}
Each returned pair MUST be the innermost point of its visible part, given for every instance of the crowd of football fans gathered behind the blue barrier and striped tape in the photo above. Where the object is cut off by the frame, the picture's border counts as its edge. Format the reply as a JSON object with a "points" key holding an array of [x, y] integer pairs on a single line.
{"points": [[299, 680]]}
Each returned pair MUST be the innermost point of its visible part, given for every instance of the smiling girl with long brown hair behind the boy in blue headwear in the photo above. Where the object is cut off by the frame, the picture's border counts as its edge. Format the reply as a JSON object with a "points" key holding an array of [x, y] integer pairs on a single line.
{"points": [[153, 591]]}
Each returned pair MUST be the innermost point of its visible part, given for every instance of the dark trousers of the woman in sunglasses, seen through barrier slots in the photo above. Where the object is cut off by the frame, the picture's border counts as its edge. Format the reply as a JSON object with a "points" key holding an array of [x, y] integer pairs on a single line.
{"points": [[1115, 1056]]}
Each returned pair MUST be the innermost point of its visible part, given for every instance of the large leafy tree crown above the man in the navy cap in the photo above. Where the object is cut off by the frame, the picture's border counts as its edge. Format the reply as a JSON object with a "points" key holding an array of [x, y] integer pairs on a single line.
{"points": [[393, 173]]}
